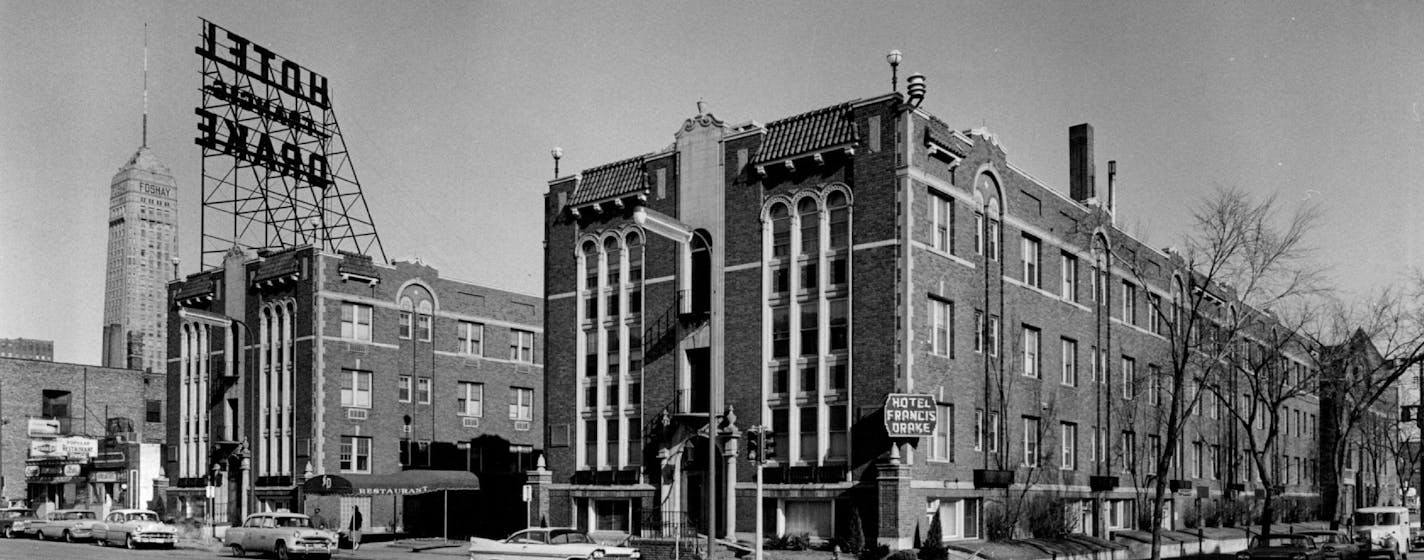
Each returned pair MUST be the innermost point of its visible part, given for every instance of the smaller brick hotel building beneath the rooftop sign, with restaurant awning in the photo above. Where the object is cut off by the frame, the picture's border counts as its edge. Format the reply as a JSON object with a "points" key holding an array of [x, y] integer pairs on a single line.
{"points": [[290, 365]]}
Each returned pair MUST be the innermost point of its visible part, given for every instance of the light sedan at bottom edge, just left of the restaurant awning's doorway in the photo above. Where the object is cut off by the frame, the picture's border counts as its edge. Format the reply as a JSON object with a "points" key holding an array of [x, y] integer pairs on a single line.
{"points": [[283, 534]]}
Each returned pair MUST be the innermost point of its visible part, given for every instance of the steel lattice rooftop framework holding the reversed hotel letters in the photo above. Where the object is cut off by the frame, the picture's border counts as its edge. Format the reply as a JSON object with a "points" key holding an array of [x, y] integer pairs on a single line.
{"points": [[276, 169]]}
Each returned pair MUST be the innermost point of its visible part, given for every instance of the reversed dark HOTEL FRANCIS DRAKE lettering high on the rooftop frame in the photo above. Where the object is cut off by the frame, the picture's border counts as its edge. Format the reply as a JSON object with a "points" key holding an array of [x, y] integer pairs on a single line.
{"points": [[284, 105]]}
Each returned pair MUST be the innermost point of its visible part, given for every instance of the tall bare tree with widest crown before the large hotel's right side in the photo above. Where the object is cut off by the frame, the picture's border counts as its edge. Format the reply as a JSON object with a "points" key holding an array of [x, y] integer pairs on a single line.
{"points": [[1244, 267]]}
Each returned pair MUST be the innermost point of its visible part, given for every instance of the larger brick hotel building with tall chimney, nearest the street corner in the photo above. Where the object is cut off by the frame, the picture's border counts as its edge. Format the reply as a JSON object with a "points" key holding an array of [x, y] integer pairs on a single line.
{"points": [[792, 274]]}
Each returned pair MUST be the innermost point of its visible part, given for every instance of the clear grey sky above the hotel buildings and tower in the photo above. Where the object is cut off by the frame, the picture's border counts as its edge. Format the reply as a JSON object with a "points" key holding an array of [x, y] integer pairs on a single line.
{"points": [[451, 112]]}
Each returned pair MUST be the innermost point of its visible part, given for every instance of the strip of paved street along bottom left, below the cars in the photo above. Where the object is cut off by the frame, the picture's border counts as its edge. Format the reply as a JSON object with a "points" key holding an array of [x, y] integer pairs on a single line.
{"points": [[28, 549]]}
